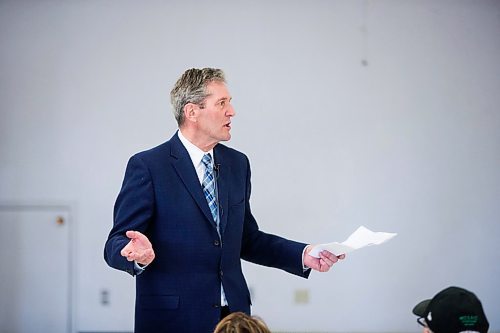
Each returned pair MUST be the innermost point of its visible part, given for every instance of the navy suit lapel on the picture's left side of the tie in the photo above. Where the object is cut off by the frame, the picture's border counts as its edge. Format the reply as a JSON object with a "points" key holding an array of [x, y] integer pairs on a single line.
{"points": [[184, 167]]}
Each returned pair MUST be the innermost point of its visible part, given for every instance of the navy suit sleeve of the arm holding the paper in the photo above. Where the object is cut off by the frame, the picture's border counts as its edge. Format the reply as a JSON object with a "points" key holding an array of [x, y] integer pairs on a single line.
{"points": [[267, 249]]}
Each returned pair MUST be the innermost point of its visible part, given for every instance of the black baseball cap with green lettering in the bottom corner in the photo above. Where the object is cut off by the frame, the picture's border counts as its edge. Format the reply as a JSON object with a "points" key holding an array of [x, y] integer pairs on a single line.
{"points": [[453, 310]]}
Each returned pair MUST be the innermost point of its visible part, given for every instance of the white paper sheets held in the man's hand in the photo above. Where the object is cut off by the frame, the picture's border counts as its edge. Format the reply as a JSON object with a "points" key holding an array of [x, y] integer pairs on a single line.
{"points": [[360, 238]]}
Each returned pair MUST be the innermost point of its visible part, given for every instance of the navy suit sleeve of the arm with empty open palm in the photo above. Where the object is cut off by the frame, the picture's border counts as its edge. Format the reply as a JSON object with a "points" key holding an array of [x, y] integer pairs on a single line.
{"points": [[133, 210]]}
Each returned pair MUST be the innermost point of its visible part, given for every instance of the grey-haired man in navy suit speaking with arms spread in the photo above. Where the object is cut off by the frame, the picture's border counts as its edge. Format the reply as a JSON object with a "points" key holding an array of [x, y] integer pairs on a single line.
{"points": [[182, 220]]}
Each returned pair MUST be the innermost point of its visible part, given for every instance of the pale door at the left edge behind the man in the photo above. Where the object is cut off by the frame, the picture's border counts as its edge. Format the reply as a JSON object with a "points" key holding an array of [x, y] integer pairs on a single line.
{"points": [[34, 269]]}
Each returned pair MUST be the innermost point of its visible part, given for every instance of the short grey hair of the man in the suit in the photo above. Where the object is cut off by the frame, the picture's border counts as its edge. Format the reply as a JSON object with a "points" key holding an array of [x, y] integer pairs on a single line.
{"points": [[191, 88]]}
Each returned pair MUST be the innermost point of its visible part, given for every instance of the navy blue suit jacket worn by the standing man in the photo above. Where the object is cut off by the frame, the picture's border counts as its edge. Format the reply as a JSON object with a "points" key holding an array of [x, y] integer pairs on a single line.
{"points": [[161, 197]]}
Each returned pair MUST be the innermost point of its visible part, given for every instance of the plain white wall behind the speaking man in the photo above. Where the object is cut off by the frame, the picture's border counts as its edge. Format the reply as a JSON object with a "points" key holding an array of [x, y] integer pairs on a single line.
{"points": [[409, 142]]}
